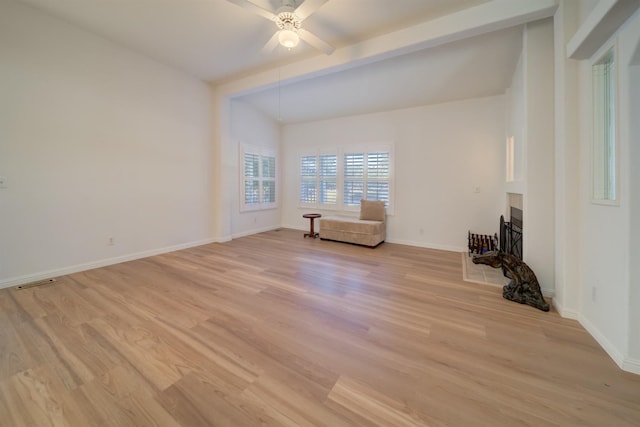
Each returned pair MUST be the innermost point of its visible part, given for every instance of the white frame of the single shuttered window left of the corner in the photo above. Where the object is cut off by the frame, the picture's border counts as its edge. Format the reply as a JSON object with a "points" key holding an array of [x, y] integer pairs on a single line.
{"points": [[262, 153]]}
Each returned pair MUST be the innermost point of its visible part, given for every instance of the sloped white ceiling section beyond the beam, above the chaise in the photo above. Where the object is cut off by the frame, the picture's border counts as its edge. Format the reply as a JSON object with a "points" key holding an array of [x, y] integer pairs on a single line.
{"points": [[471, 68]]}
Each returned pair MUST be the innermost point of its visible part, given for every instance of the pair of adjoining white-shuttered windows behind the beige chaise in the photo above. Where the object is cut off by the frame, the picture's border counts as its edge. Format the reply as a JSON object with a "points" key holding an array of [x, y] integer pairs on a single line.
{"points": [[340, 181]]}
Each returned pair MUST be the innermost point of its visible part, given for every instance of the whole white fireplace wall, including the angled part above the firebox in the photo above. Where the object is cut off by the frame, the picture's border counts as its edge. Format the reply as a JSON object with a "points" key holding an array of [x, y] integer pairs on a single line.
{"points": [[530, 120]]}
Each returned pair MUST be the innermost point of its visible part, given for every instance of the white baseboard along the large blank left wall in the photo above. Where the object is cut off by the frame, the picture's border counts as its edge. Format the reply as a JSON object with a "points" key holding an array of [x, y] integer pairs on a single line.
{"points": [[48, 274]]}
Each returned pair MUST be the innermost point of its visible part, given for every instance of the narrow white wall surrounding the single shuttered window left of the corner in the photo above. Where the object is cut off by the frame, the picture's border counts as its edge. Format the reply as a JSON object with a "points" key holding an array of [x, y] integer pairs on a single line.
{"points": [[249, 126]]}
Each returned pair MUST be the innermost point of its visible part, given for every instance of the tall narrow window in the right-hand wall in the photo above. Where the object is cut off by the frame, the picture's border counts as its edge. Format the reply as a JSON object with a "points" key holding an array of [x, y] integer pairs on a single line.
{"points": [[604, 128]]}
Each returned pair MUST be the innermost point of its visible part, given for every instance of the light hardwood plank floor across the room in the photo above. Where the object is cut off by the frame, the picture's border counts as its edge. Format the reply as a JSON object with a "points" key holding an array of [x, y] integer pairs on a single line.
{"points": [[274, 329]]}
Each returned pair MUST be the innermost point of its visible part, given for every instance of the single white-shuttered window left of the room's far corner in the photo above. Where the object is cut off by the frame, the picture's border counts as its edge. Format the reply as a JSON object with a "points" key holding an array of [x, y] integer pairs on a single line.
{"points": [[258, 179]]}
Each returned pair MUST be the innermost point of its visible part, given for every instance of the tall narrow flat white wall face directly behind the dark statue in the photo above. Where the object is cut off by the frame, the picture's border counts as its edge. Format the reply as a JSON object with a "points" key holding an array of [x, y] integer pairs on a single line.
{"points": [[539, 194]]}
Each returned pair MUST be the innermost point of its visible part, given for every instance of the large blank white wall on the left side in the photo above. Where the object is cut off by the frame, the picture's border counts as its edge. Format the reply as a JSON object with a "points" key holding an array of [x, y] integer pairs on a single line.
{"points": [[95, 142]]}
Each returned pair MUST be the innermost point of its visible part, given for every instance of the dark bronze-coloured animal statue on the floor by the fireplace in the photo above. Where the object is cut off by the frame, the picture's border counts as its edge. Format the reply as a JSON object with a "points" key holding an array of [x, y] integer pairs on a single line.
{"points": [[524, 287]]}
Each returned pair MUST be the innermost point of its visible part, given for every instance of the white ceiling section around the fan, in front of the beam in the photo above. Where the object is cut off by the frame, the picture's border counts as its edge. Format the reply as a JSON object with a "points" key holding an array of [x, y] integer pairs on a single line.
{"points": [[215, 39]]}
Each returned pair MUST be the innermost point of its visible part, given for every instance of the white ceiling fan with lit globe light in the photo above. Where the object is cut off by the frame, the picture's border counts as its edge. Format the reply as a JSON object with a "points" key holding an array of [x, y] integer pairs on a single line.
{"points": [[288, 18]]}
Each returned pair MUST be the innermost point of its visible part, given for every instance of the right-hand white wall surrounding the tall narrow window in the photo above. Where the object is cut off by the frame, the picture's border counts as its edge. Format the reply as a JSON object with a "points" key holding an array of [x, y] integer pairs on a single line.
{"points": [[610, 298]]}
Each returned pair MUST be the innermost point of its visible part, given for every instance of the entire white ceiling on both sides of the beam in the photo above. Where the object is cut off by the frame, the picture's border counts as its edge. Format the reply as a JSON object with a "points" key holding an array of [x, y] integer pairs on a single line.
{"points": [[217, 41]]}
